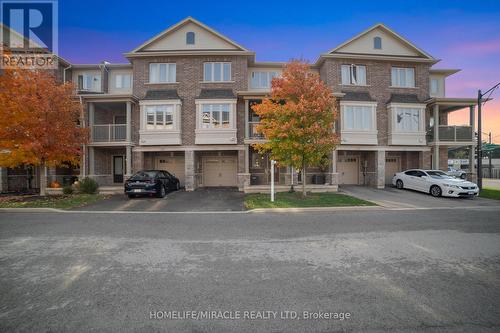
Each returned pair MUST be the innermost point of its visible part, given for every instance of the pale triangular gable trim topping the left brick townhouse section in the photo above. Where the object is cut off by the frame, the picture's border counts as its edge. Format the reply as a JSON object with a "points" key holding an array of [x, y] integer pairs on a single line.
{"points": [[189, 20]]}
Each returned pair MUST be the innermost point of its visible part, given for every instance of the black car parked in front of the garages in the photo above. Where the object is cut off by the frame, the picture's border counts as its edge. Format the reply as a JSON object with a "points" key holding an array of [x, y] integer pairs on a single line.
{"points": [[151, 182]]}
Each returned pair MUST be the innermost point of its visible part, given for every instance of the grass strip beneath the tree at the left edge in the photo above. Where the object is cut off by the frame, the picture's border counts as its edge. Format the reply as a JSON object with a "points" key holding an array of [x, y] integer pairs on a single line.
{"points": [[52, 201]]}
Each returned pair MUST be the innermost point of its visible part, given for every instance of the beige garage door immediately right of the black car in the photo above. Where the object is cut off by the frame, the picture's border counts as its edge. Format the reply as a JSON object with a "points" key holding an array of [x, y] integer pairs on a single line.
{"points": [[219, 171]]}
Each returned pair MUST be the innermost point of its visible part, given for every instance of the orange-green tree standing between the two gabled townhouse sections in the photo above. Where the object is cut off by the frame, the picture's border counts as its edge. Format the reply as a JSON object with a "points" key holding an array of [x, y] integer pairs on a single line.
{"points": [[298, 120]]}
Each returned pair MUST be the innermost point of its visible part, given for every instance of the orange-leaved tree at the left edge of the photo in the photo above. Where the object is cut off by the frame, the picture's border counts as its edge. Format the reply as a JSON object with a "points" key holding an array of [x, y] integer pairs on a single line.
{"points": [[38, 121]]}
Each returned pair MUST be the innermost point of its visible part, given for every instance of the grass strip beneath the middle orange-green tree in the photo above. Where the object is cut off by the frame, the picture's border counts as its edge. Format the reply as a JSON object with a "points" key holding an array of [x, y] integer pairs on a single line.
{"points": [[294, 200]]}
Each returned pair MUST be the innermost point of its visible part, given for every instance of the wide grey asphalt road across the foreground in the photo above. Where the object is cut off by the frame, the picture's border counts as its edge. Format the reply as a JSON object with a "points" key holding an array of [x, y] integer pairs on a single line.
{"points": [[401, 271]]}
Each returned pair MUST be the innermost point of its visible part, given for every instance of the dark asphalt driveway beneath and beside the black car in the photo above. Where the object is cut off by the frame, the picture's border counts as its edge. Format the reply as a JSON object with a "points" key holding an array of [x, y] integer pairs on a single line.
{"points": [[216, 199]]}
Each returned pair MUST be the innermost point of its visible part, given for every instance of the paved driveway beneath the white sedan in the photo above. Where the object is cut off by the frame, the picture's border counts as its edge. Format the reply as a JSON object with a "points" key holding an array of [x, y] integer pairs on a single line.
{"points": [[394, 198]]}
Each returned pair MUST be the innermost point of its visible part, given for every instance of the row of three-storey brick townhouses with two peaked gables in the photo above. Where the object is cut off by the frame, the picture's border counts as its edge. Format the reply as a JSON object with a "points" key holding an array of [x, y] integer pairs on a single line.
{"points": [[183, 103]]}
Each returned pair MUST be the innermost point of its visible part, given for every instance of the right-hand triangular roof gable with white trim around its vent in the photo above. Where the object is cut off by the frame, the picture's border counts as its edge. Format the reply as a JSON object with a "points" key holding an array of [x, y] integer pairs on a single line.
{"points": [[407, 48]]}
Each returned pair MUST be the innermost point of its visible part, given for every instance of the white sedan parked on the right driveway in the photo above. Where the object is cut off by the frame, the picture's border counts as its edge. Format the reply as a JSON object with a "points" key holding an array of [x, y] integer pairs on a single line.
{"points": [[435, 182]]}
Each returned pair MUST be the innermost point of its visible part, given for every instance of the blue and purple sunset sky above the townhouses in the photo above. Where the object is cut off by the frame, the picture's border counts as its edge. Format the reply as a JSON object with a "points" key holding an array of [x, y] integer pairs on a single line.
{"points": [[464, 34]]}
